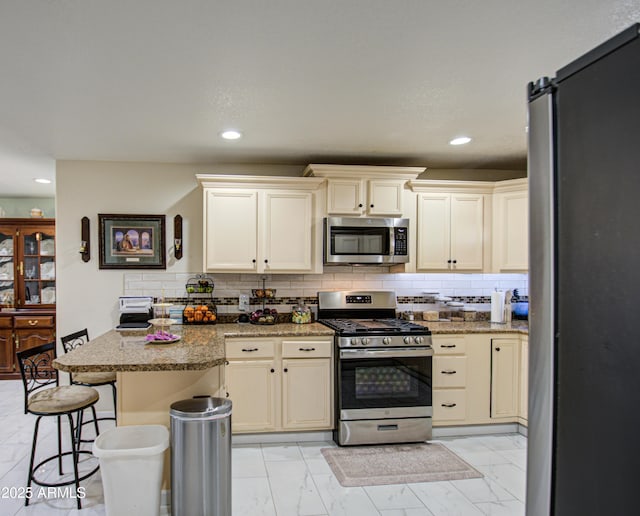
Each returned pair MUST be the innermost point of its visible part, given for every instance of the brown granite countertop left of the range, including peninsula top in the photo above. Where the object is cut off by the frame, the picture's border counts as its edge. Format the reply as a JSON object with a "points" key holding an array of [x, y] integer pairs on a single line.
{"points": [[200, 347]]}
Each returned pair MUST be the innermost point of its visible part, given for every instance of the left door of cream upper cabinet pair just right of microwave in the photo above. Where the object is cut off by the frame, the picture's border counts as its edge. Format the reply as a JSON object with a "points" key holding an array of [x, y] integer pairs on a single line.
{"points": [[434, 225]]}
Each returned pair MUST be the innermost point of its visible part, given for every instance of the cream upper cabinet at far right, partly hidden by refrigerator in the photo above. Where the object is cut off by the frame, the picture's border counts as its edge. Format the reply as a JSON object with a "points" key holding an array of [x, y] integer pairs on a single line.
{"points": [[511, 226]]}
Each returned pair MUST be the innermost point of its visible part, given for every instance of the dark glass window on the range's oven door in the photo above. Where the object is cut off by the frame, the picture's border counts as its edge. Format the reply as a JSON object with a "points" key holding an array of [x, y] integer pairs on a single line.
{"points": [[385, 382]]}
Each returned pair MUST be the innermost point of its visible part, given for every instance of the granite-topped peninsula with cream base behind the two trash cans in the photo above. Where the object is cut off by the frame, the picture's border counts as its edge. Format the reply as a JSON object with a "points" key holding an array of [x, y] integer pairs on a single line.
{"points": [[150, 377]]}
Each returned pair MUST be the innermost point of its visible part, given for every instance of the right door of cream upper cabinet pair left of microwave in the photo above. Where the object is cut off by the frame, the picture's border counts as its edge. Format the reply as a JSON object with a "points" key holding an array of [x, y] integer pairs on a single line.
{"points": [[286, 232]]}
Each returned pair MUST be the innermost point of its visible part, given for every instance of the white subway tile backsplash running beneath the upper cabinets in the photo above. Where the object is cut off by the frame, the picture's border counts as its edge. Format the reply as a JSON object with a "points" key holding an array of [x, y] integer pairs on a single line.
{"points": [[415, 291]]}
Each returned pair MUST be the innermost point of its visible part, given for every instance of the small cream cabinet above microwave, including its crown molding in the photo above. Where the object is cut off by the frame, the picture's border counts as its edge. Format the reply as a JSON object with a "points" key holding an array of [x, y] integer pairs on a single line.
{"points": [[357, 190]]}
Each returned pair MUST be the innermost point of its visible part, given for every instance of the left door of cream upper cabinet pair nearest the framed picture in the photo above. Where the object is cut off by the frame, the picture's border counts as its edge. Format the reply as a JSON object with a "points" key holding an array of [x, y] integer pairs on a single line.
{"points": [[230, 230]]}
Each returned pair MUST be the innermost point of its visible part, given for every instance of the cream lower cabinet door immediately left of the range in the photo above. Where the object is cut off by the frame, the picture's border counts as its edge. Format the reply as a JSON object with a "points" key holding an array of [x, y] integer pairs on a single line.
{"points": [[306, 393]]}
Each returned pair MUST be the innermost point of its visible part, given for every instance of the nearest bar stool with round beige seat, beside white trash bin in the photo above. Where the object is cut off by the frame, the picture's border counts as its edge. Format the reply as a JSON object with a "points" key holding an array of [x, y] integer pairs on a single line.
{"points": [[44, 397]]}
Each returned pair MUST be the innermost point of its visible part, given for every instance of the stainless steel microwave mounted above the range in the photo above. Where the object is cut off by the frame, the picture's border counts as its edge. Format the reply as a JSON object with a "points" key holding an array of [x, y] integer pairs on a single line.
{"points": [[365, 240]]}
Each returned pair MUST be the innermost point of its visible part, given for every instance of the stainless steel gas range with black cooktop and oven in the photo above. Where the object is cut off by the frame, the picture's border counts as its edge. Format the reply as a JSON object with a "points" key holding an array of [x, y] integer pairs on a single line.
{"points": [[383, 366]]}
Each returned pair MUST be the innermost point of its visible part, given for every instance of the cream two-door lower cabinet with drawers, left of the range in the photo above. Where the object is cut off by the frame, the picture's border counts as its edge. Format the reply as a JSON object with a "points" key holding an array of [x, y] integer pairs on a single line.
{"points": [[280, 384]]}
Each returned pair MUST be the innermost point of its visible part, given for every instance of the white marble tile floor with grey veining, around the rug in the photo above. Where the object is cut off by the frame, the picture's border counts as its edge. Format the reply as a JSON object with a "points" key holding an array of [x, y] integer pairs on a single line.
{"points": [[289, 478]]}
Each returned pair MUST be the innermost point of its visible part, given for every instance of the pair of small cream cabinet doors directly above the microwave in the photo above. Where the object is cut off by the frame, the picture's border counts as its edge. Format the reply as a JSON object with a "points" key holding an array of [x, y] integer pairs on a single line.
{"points": [[365, 197]]}
